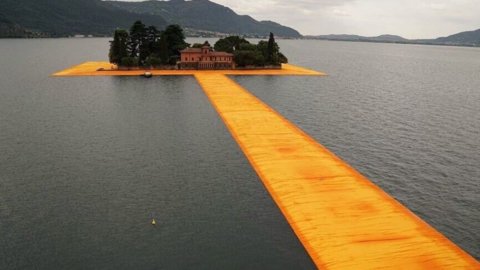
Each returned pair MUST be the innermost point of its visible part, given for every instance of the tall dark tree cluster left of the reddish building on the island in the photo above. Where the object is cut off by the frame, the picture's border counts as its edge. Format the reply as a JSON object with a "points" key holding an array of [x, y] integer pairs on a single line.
{"points": [[147, 46]]}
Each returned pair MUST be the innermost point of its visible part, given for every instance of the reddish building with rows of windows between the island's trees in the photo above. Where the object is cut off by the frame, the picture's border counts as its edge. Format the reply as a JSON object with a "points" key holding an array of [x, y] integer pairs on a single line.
{"points": [[205, 58]]}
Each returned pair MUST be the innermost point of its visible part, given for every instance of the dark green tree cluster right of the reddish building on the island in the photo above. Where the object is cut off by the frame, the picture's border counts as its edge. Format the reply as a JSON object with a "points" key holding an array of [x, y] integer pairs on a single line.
{"points": [[265, 53]]}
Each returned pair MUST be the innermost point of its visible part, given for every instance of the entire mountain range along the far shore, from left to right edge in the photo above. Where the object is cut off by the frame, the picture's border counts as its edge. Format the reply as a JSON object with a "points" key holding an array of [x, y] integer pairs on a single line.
{"points": [[57, 18]]}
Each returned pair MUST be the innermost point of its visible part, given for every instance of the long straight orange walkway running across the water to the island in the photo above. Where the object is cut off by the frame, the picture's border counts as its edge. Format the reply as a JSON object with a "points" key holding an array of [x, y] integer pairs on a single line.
{"points": [[343, 220]]}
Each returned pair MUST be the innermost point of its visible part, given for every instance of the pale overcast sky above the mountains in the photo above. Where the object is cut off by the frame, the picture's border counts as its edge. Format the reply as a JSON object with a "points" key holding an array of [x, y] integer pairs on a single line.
{"points": [[407, 18]]}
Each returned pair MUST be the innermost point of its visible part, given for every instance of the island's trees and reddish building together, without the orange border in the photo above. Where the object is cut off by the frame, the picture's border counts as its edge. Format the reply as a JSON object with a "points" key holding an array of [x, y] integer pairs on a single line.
{"points": [[148, 48]]}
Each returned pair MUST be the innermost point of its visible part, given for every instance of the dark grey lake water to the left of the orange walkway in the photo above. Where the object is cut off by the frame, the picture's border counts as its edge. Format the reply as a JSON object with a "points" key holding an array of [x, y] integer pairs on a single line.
{"points": [[86, 164]]}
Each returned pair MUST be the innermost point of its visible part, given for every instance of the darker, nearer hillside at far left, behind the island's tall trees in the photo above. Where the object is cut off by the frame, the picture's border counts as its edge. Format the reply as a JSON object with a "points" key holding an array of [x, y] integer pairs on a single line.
{"points": [[67, 17]]}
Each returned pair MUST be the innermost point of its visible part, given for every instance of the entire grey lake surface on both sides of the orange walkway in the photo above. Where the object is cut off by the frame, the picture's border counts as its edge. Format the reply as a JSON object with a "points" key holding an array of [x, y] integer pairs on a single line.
{"points": [[87, 162]]}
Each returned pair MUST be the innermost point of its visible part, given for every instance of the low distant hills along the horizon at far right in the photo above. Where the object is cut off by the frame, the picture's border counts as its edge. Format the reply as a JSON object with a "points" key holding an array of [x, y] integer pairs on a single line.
{"points": [[468, 38]]}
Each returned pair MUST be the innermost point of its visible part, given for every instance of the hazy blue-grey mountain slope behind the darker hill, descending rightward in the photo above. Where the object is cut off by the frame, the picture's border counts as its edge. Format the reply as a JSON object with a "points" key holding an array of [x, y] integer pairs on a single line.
{"points": [[208, 16]]}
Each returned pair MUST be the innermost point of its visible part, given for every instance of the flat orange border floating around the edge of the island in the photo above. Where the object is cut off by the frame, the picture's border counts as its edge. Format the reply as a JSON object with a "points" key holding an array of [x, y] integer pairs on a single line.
{"points": [[90, 69]]}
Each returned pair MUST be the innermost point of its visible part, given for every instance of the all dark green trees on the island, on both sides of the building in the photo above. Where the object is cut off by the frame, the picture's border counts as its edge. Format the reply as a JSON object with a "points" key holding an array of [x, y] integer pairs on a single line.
{"points": [[147, 46]]}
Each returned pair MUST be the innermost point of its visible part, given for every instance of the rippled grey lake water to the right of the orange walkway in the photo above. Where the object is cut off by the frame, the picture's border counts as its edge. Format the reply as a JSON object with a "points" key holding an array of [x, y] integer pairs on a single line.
{"points": [[407, 117]]}
